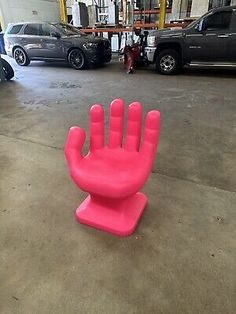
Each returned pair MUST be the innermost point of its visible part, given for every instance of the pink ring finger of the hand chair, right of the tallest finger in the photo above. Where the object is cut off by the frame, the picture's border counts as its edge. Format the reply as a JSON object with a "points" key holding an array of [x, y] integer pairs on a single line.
{"points": [[134, 127]]}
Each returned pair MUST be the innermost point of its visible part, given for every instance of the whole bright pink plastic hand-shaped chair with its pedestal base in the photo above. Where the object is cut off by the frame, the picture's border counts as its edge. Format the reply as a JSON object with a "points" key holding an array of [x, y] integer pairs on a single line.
{"points": [[113, 174]]}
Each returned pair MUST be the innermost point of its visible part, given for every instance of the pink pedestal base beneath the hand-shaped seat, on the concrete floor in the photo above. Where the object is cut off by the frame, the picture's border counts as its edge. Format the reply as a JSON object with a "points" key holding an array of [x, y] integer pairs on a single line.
{"points": [[119, 217]]}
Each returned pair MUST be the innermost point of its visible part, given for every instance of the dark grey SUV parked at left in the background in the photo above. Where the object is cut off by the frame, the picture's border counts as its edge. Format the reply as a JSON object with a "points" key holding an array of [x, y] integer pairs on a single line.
{"points": [[55, 41]]}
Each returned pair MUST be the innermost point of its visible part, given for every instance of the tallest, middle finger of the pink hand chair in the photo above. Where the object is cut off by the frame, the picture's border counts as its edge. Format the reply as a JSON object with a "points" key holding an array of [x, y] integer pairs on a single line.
{"points": [[116, 123]]}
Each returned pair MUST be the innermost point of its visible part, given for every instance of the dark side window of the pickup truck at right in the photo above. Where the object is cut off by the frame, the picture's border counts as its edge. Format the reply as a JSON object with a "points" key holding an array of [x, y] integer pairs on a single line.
{"points": [[220, 20]]}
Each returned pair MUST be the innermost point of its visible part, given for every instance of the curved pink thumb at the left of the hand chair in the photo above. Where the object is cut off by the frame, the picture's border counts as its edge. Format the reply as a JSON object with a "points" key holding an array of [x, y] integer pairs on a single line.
{"points": [[73, 147]]}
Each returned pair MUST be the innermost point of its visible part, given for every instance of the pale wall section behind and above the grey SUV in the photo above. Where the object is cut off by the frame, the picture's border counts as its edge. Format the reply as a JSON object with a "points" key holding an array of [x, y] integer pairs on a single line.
{"points": [[28, 10]]}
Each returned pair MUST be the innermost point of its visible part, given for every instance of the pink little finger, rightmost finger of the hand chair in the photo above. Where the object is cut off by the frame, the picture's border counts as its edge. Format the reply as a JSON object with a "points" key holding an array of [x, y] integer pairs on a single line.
{"points": [[151, 134]]}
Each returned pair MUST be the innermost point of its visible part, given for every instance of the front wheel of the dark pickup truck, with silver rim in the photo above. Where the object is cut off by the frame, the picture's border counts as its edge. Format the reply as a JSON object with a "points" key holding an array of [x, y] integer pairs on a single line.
{"points": [[168, 62]]}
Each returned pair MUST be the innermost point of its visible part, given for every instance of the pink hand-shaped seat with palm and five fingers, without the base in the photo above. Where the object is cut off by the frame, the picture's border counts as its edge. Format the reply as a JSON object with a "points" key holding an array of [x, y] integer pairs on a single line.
{"points": [[114, 171]]}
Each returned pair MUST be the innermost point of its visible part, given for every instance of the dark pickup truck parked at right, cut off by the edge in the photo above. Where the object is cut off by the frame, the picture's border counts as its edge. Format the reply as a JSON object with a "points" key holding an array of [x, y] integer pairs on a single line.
{"points": [[209, 39]]}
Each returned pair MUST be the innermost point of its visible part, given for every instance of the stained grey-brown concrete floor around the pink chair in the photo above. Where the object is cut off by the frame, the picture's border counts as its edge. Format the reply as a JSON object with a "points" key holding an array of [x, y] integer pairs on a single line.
{"points": [[182, 257]]}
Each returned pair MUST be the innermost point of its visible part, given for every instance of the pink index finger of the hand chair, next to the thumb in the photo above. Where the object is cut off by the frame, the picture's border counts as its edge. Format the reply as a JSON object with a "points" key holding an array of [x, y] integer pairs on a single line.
{"points": [[96, 127]]}
